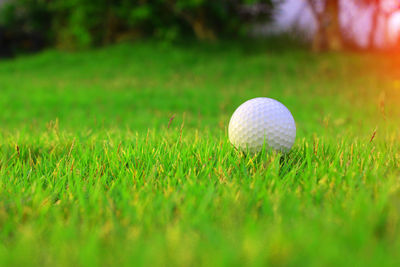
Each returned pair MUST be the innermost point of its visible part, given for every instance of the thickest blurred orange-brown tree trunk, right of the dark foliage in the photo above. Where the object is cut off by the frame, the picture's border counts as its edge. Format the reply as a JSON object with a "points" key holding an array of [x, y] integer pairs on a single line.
{"points": [[332, 25]]}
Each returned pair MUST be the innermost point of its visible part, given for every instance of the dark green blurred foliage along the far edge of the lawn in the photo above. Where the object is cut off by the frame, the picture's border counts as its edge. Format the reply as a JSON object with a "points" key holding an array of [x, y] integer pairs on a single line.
{"points": [[87, 23]]}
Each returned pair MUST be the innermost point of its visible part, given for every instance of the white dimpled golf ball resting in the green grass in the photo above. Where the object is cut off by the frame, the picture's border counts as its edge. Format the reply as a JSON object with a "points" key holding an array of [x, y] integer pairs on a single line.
{"points": [[262, 121]]}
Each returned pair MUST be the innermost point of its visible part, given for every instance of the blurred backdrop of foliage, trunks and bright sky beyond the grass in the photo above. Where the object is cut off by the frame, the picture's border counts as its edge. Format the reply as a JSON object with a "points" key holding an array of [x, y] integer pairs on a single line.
{"points": [[32, 25]]}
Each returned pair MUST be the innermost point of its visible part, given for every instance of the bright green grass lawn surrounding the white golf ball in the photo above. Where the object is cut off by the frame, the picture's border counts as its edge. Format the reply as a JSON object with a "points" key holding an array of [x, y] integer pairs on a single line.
{"points": [[91, 174]]}
